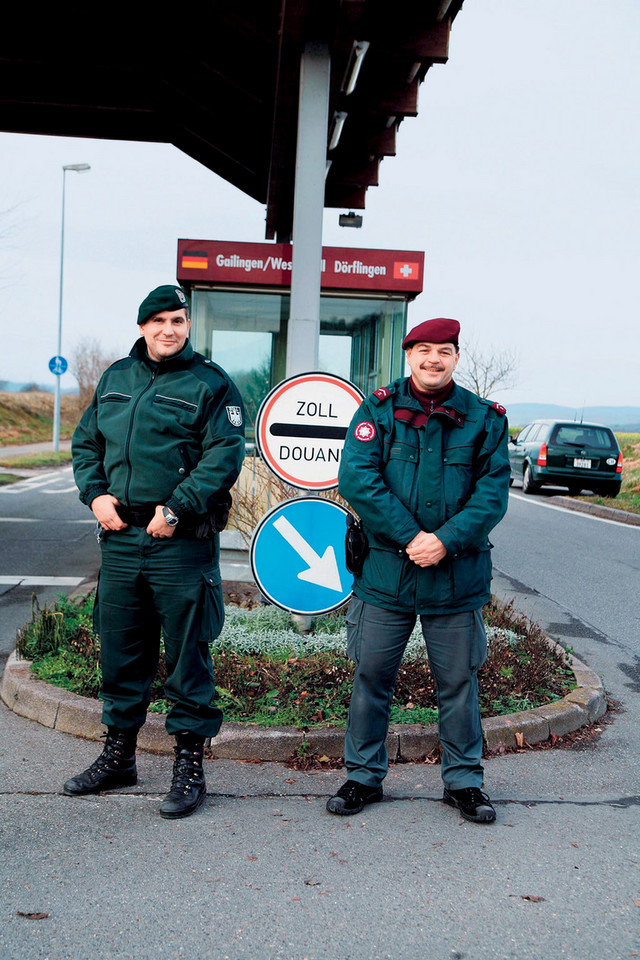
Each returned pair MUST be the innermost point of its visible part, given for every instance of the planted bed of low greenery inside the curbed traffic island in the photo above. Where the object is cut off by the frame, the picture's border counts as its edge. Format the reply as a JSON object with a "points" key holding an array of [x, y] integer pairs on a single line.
{"points": [[268, 674]]}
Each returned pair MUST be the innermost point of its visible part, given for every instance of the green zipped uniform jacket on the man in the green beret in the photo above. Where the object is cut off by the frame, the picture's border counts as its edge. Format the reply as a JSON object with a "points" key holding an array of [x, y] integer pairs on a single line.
{"points": [[169, 433]]}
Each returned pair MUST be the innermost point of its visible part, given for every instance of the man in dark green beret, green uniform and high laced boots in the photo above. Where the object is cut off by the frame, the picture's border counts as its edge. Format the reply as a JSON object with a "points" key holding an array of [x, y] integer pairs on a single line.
{"points": [[154, 457]]}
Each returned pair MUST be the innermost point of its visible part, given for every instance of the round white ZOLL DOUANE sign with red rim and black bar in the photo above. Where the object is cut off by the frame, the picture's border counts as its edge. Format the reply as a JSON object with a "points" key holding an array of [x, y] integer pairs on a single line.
{"points": [[301, 428]]}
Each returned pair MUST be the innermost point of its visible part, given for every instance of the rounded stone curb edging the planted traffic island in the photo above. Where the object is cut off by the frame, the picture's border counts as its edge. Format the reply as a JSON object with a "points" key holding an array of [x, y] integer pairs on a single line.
{"points": [[69, 713]]}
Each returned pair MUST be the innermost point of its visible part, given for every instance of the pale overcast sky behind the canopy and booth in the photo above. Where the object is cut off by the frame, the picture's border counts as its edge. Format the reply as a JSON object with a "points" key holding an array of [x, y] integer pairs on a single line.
{"points": [[519, 180]]}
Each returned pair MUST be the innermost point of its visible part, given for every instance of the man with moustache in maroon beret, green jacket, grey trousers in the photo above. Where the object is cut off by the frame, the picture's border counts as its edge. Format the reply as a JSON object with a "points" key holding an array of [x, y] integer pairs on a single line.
{"points": [[426, 467]]}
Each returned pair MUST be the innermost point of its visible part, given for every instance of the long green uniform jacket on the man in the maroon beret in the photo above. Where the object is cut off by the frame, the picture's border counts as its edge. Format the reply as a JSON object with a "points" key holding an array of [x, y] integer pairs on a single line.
{"points": [[448, 475]]}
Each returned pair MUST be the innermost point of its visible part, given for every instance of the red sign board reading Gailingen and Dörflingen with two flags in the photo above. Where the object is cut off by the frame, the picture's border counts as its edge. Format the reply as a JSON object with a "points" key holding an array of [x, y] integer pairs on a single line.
{"points": [[269, 264]]}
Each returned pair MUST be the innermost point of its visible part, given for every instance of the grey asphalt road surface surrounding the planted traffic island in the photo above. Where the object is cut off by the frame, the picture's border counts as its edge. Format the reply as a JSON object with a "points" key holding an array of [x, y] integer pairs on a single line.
{"points": [[262, 871]]}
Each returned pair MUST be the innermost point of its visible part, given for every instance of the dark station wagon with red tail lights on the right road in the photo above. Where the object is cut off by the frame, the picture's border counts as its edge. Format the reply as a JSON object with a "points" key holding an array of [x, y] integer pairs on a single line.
{"points": [[565, 454]]}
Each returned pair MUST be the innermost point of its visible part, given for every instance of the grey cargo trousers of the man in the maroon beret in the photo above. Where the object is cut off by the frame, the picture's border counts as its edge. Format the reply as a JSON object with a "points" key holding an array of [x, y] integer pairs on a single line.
{"points": [[456, 648]]}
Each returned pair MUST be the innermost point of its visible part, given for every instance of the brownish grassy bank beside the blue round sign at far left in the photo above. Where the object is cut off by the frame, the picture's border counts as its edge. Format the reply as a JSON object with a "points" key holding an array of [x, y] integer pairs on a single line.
{"points": [[28, 417]]}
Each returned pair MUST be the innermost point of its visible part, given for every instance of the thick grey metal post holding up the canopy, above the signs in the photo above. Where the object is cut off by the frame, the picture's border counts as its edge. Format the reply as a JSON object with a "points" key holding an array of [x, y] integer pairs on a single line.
{"points": [[308, 206]]}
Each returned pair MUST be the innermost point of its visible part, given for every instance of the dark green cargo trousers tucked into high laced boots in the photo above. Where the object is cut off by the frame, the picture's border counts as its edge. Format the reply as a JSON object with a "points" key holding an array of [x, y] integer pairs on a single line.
{"points": [[146, 585]]}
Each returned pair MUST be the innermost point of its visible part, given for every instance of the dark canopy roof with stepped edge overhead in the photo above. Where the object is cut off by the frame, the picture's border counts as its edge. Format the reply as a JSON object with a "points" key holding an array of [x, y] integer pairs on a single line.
{"points": [[223, 85]]}
